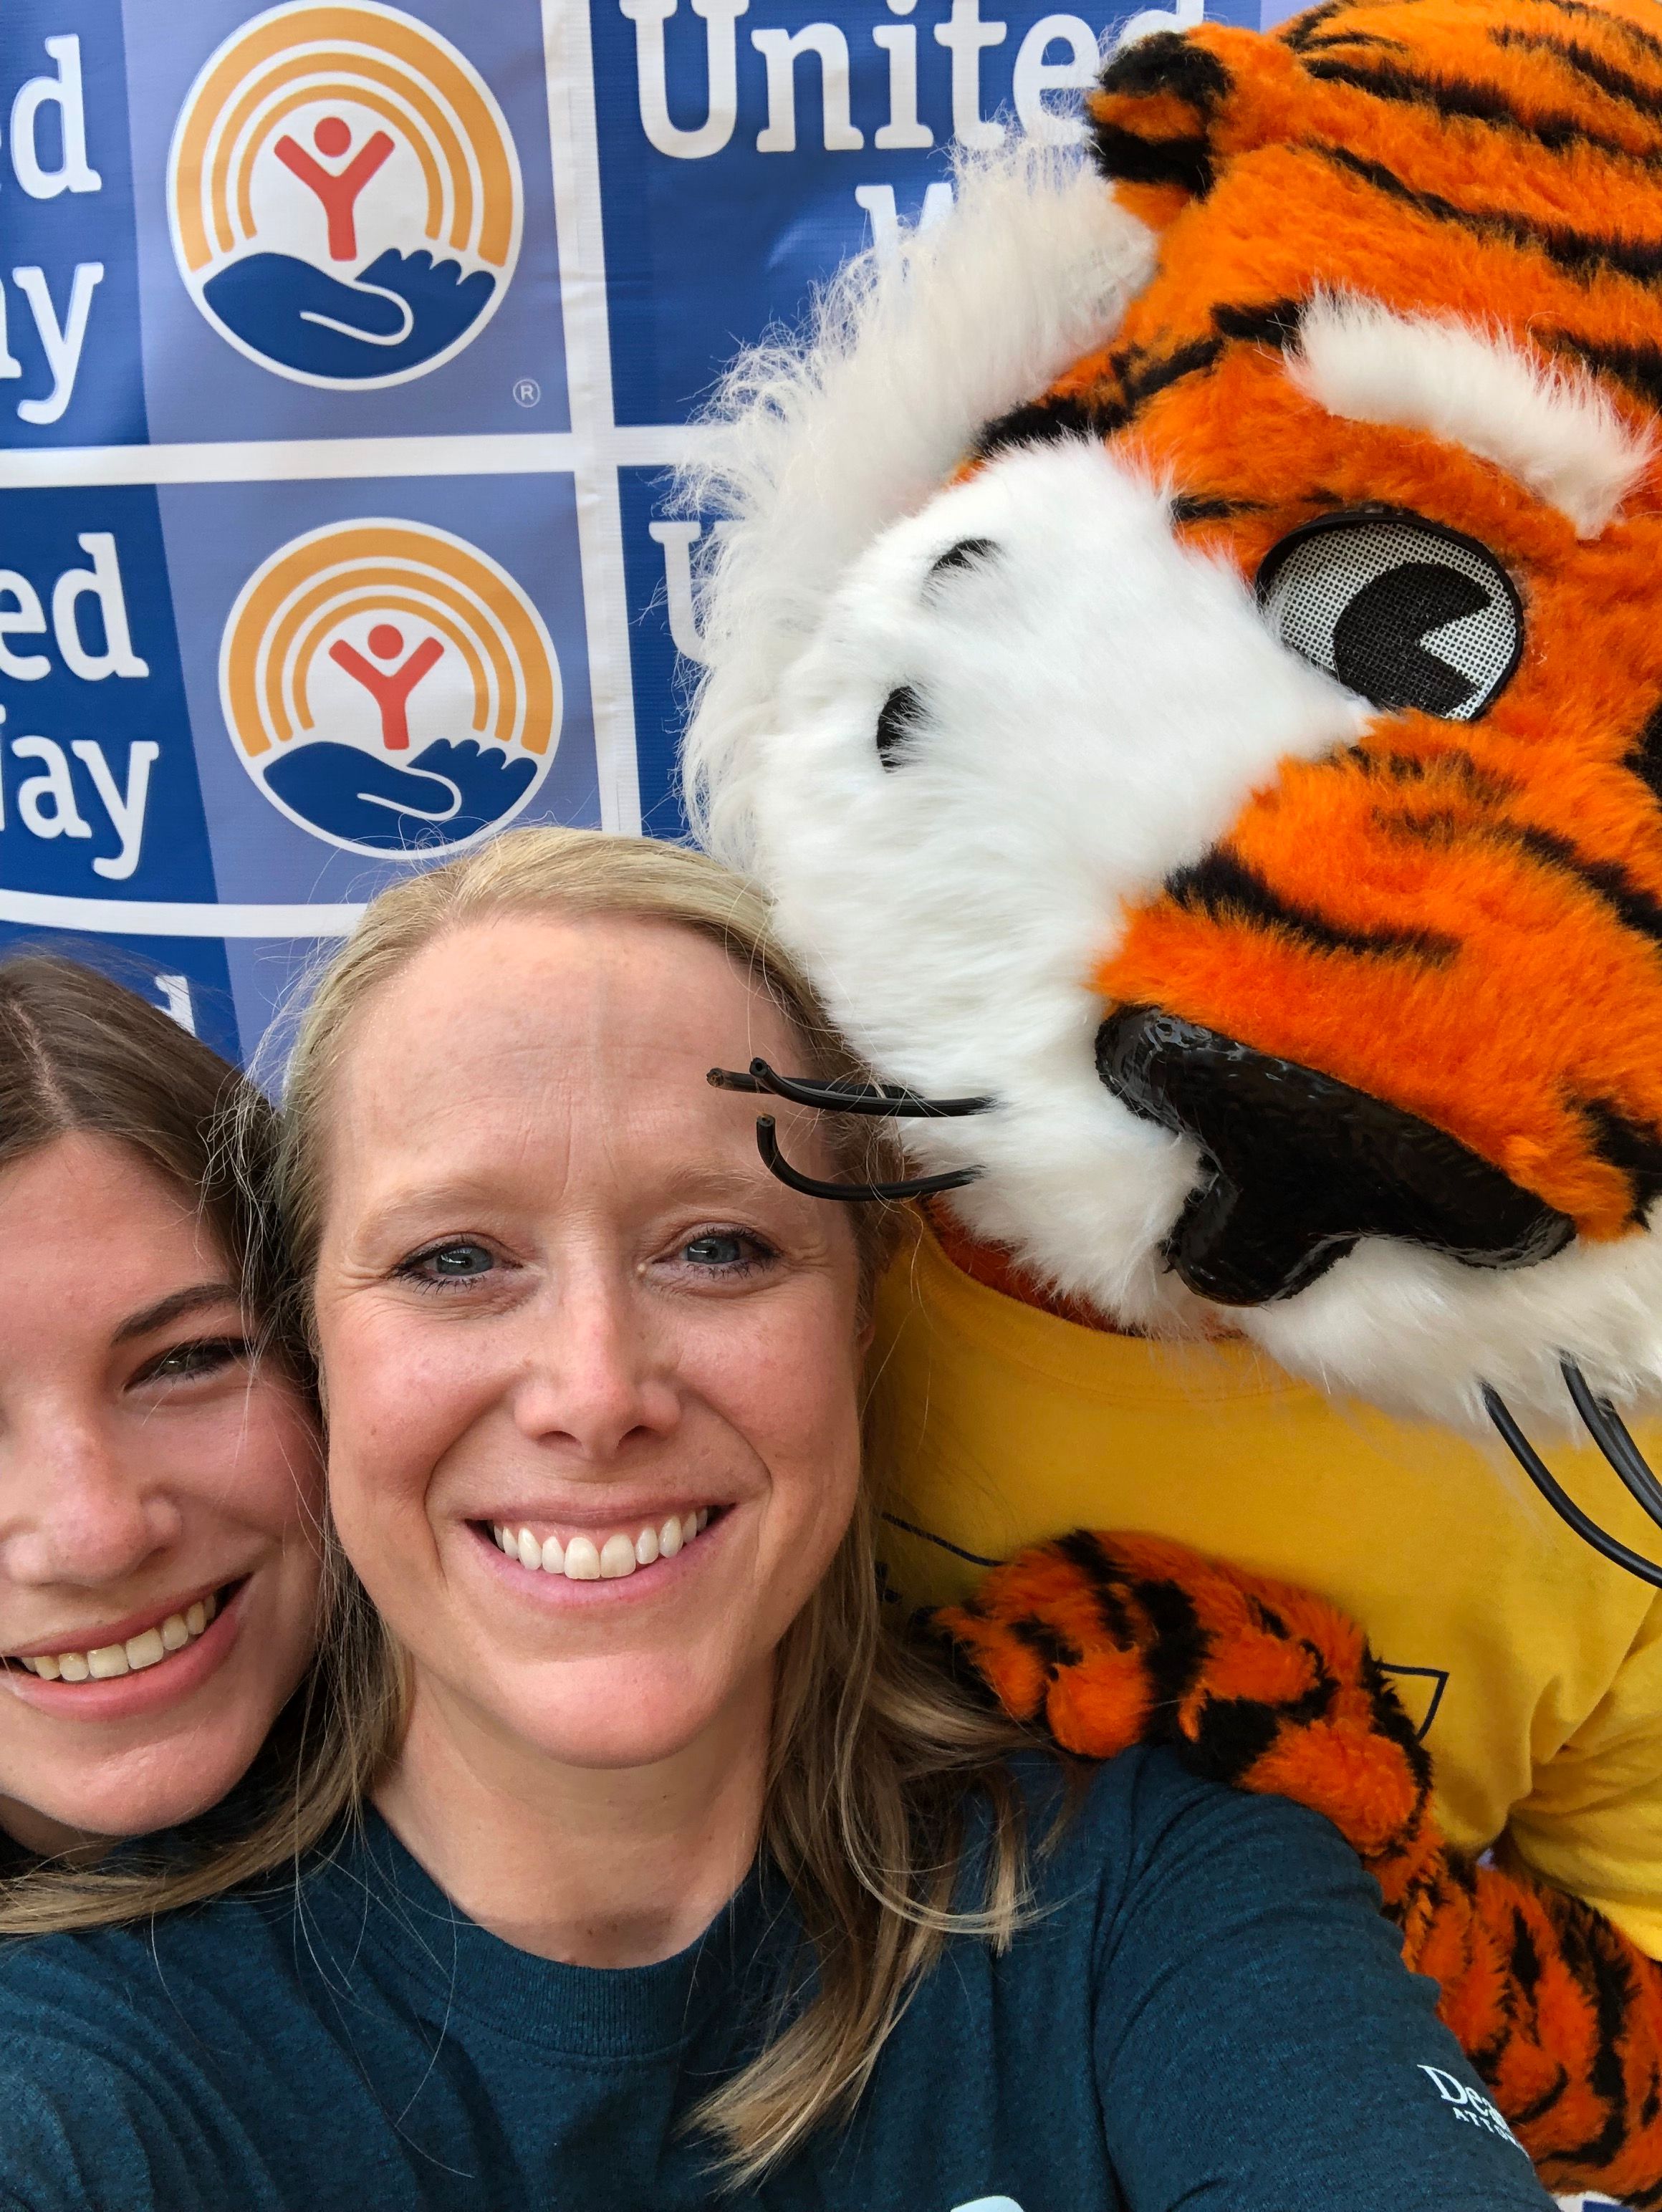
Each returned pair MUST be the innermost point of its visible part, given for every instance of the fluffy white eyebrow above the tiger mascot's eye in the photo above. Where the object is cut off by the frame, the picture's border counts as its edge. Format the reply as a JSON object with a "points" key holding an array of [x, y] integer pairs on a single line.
{"points": [[1550, 430]]}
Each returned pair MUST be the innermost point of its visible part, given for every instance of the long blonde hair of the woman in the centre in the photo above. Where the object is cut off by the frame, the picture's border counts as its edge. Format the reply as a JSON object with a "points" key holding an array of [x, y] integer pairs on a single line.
{"points": [[875, 1751]]}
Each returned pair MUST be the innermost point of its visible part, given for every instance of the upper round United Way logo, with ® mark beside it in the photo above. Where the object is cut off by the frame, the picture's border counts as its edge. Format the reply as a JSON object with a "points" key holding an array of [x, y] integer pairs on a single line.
{"points": [[344, 196]]}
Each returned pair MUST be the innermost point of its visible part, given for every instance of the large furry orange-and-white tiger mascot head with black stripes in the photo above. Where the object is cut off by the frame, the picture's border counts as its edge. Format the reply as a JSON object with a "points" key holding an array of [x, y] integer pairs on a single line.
{"points": [[1187, 658]]}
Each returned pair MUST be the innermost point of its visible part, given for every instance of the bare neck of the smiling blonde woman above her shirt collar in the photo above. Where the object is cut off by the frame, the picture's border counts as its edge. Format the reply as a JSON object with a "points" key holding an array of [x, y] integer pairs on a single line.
{"points": [[588, 1866]]}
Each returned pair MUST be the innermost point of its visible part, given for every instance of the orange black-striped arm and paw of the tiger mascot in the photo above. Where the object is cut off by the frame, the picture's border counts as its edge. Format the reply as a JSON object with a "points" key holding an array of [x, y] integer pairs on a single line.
{"points": [[1119, 1640]]}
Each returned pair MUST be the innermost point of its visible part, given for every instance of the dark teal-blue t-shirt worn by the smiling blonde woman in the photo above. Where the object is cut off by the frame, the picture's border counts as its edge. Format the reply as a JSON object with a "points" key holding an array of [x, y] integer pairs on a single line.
{"points": [[1207, 2012]]}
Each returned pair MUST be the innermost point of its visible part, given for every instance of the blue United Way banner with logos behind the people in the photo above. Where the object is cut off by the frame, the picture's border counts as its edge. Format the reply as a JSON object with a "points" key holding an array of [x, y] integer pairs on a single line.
{"points": [[344, 351]]}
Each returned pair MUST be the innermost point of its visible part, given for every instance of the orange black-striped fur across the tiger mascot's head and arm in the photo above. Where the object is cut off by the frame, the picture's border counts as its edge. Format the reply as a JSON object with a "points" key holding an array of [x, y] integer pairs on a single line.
{"points": [[1497, 163]]}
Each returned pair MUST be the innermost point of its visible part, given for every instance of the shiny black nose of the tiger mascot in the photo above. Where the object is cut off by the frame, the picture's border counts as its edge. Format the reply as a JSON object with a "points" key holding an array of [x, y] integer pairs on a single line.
{"points": [[1300, 1167]]}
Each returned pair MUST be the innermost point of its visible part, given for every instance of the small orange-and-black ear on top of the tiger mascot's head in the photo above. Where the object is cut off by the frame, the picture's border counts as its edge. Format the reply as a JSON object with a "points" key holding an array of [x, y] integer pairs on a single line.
{"points": [[1174, 105]]}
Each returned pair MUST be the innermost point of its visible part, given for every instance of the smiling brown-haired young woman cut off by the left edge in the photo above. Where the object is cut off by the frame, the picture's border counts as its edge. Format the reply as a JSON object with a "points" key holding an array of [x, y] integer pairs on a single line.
{"points": [[160, 1477]]}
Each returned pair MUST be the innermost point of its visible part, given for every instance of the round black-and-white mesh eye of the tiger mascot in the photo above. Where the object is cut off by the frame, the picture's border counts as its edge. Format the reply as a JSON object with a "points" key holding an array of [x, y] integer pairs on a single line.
{"points": [[1398, 609]]}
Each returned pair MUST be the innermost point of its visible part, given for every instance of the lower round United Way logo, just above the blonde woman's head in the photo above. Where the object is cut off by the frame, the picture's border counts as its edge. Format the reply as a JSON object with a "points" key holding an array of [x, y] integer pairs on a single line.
{"points": [[391, 687]]}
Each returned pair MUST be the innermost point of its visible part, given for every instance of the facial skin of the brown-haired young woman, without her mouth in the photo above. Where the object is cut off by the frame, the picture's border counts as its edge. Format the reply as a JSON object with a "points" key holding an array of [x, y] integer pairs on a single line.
{"points": [[134, 1474]]}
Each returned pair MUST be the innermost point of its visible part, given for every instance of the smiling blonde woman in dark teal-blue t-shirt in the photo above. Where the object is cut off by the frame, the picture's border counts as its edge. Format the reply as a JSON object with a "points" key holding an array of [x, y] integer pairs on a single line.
{"points": [[647, 1866]]}
